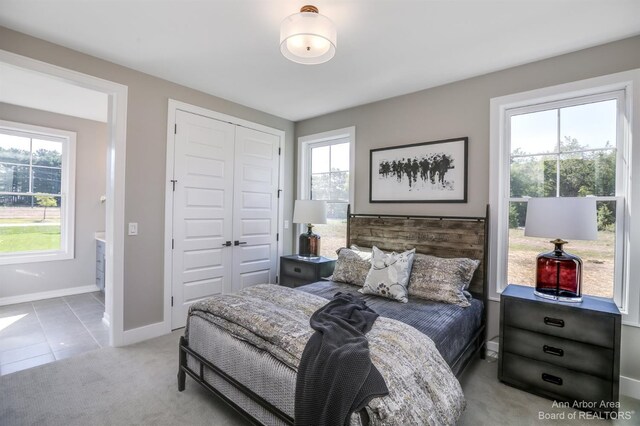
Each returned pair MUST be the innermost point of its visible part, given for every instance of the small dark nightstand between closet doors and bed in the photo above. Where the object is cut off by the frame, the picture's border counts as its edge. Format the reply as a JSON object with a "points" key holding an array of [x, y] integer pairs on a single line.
{"points": [[296, 271]]}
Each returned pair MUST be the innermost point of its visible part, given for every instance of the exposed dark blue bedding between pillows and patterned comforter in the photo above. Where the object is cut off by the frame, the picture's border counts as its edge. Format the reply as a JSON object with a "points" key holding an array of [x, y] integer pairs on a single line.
{"points": [[451, 327]]}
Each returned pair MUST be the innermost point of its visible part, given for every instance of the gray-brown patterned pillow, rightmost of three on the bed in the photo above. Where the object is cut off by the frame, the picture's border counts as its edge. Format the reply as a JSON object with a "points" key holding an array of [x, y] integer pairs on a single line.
{"points": [[442, 280]]}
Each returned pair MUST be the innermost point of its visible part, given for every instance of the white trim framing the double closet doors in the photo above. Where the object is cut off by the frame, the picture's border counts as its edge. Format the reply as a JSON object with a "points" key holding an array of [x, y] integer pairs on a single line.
{"points": [[173, 106]]}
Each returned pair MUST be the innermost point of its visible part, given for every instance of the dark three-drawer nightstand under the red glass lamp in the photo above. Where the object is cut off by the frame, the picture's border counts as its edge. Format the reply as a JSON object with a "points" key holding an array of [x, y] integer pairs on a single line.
{"points": [[568, 352]]}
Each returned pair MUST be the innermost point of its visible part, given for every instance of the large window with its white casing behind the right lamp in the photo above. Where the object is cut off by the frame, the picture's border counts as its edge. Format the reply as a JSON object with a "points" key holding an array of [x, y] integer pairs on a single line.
{"points": [[567, 141]]}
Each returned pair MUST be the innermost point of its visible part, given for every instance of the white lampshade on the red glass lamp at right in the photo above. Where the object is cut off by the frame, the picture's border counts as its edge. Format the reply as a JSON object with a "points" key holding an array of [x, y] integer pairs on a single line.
{"points": [[568, 218]]}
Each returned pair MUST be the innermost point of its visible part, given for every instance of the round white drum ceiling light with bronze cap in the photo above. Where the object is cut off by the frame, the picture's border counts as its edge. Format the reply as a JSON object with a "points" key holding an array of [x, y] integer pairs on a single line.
{"points": [[308, 37]]}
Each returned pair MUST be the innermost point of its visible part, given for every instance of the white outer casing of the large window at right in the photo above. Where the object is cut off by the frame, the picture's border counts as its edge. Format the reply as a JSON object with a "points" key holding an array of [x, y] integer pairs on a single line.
{"points": [[626, 291]]}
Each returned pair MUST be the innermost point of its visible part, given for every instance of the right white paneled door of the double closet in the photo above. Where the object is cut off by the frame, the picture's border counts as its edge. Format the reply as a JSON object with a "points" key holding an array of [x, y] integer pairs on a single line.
{"points": [[255, 208]]}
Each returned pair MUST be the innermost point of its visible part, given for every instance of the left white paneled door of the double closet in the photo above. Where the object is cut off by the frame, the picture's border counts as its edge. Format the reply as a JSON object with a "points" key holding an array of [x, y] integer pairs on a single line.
{"points": [[202, 211]]}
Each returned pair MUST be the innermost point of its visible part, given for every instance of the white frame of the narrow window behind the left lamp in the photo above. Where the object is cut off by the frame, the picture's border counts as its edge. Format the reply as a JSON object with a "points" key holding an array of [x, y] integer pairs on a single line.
{"points": [[305, 143]]}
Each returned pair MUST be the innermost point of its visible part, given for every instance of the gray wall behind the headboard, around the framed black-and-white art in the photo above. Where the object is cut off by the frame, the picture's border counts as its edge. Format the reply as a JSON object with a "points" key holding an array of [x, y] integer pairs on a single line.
{"points": [[462, 109]]}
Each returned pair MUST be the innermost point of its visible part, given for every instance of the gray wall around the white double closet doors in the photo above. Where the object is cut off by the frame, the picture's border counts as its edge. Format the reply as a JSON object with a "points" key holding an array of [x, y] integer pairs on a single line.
{"points": [[145, 171]]}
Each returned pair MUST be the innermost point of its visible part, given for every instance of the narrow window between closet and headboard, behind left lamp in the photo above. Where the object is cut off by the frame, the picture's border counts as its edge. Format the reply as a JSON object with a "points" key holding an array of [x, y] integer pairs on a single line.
{"points": [[325, 165]]}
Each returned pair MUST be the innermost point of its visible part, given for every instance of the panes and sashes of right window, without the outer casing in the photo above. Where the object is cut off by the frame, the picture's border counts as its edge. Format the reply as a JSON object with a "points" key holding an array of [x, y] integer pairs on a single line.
{"points": [[566, 149]]}
